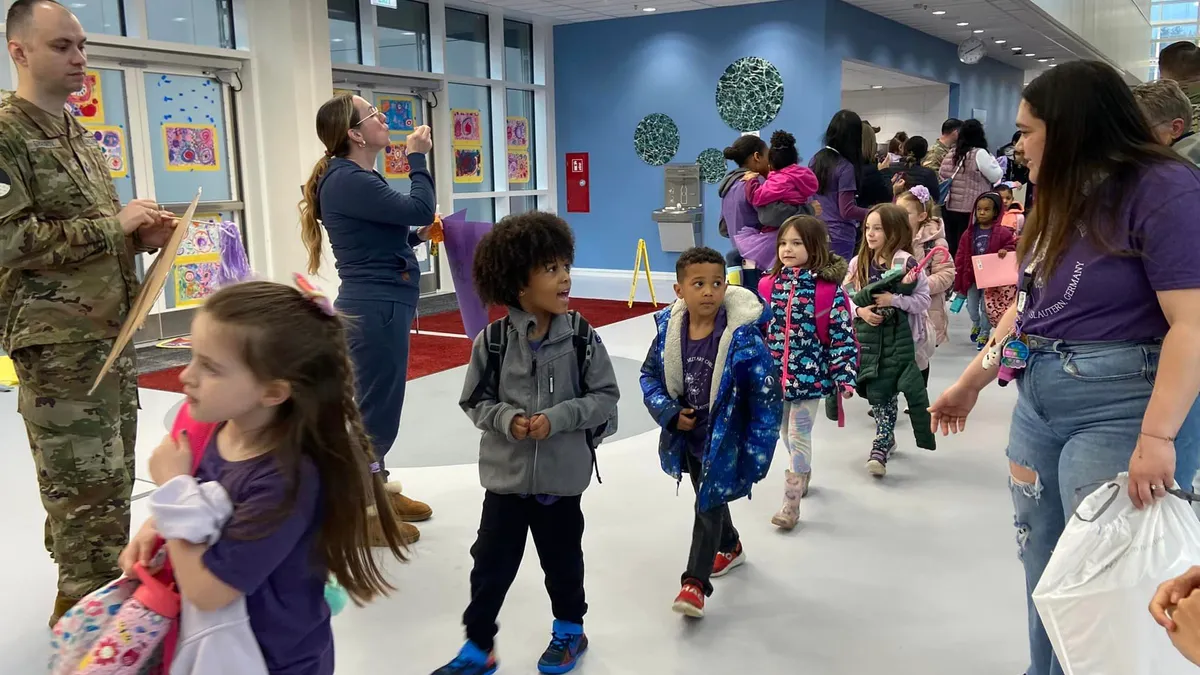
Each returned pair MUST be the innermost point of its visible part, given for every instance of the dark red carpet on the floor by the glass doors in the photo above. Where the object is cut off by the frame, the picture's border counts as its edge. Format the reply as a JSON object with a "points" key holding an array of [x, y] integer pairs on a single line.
{"points": [[434, 354]]}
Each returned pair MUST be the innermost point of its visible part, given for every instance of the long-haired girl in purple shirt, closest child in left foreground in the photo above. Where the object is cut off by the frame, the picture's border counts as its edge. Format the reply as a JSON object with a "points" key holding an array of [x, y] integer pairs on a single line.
{"points": [[271, 367]]}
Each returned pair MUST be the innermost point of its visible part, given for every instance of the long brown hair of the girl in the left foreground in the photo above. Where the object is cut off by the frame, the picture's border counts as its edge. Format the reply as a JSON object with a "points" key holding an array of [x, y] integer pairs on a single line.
{"points": [[287, 338]]}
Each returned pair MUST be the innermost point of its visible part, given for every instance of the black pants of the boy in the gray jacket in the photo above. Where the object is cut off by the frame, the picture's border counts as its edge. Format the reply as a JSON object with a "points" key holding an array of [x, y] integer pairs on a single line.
{"points": [[503, 529]]}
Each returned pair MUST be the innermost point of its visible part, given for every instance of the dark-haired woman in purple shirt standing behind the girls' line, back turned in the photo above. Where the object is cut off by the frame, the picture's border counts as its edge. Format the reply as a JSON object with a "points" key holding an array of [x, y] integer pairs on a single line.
{"points": [[837, 169]]}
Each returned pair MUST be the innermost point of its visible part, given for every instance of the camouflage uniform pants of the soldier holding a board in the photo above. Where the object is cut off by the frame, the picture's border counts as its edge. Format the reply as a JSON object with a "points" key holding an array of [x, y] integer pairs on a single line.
{"points": [[83, 451]]}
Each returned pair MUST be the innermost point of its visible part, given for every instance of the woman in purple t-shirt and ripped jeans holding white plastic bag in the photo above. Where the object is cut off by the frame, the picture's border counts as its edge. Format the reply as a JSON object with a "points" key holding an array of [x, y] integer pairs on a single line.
{"points": [[1112, 316]]}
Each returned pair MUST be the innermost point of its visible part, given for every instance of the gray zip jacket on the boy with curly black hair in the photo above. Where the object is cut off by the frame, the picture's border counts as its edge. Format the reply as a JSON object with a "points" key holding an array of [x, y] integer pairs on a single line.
{"points": [[547, 383]]}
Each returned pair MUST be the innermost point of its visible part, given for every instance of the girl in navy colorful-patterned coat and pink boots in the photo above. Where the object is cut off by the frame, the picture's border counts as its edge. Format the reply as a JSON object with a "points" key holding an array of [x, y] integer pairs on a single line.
{"points": [[812, 332]]}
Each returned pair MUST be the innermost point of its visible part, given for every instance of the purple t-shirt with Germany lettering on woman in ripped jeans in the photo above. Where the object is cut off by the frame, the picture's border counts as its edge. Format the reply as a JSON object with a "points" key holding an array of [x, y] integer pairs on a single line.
{"points": [[1106, 297]]}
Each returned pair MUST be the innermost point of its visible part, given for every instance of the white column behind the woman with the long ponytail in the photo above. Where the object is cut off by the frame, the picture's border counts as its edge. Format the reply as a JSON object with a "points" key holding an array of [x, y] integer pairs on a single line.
{"points": [[290, 77]]}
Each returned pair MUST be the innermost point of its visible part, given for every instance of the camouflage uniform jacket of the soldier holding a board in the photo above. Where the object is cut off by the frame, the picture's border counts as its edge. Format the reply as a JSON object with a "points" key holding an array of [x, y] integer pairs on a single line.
{"points": [[67, 268]]}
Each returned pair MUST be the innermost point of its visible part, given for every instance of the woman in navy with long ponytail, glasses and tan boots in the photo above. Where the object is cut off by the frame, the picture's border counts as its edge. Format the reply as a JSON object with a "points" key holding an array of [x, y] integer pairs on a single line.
{"points": [[373, 230]]}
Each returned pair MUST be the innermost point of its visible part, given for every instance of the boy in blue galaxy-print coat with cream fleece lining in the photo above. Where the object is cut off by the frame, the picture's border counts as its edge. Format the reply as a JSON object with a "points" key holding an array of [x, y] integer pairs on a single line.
{"points": [[712, 386]]}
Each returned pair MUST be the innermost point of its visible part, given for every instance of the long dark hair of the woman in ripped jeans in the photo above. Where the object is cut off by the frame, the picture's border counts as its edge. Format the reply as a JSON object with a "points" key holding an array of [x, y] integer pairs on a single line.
{"points": [[1097, 145]]}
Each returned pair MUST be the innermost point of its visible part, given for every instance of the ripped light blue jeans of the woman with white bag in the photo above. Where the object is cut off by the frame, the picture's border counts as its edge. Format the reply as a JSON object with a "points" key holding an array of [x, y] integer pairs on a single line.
{"points": [[1076, 425]]}
